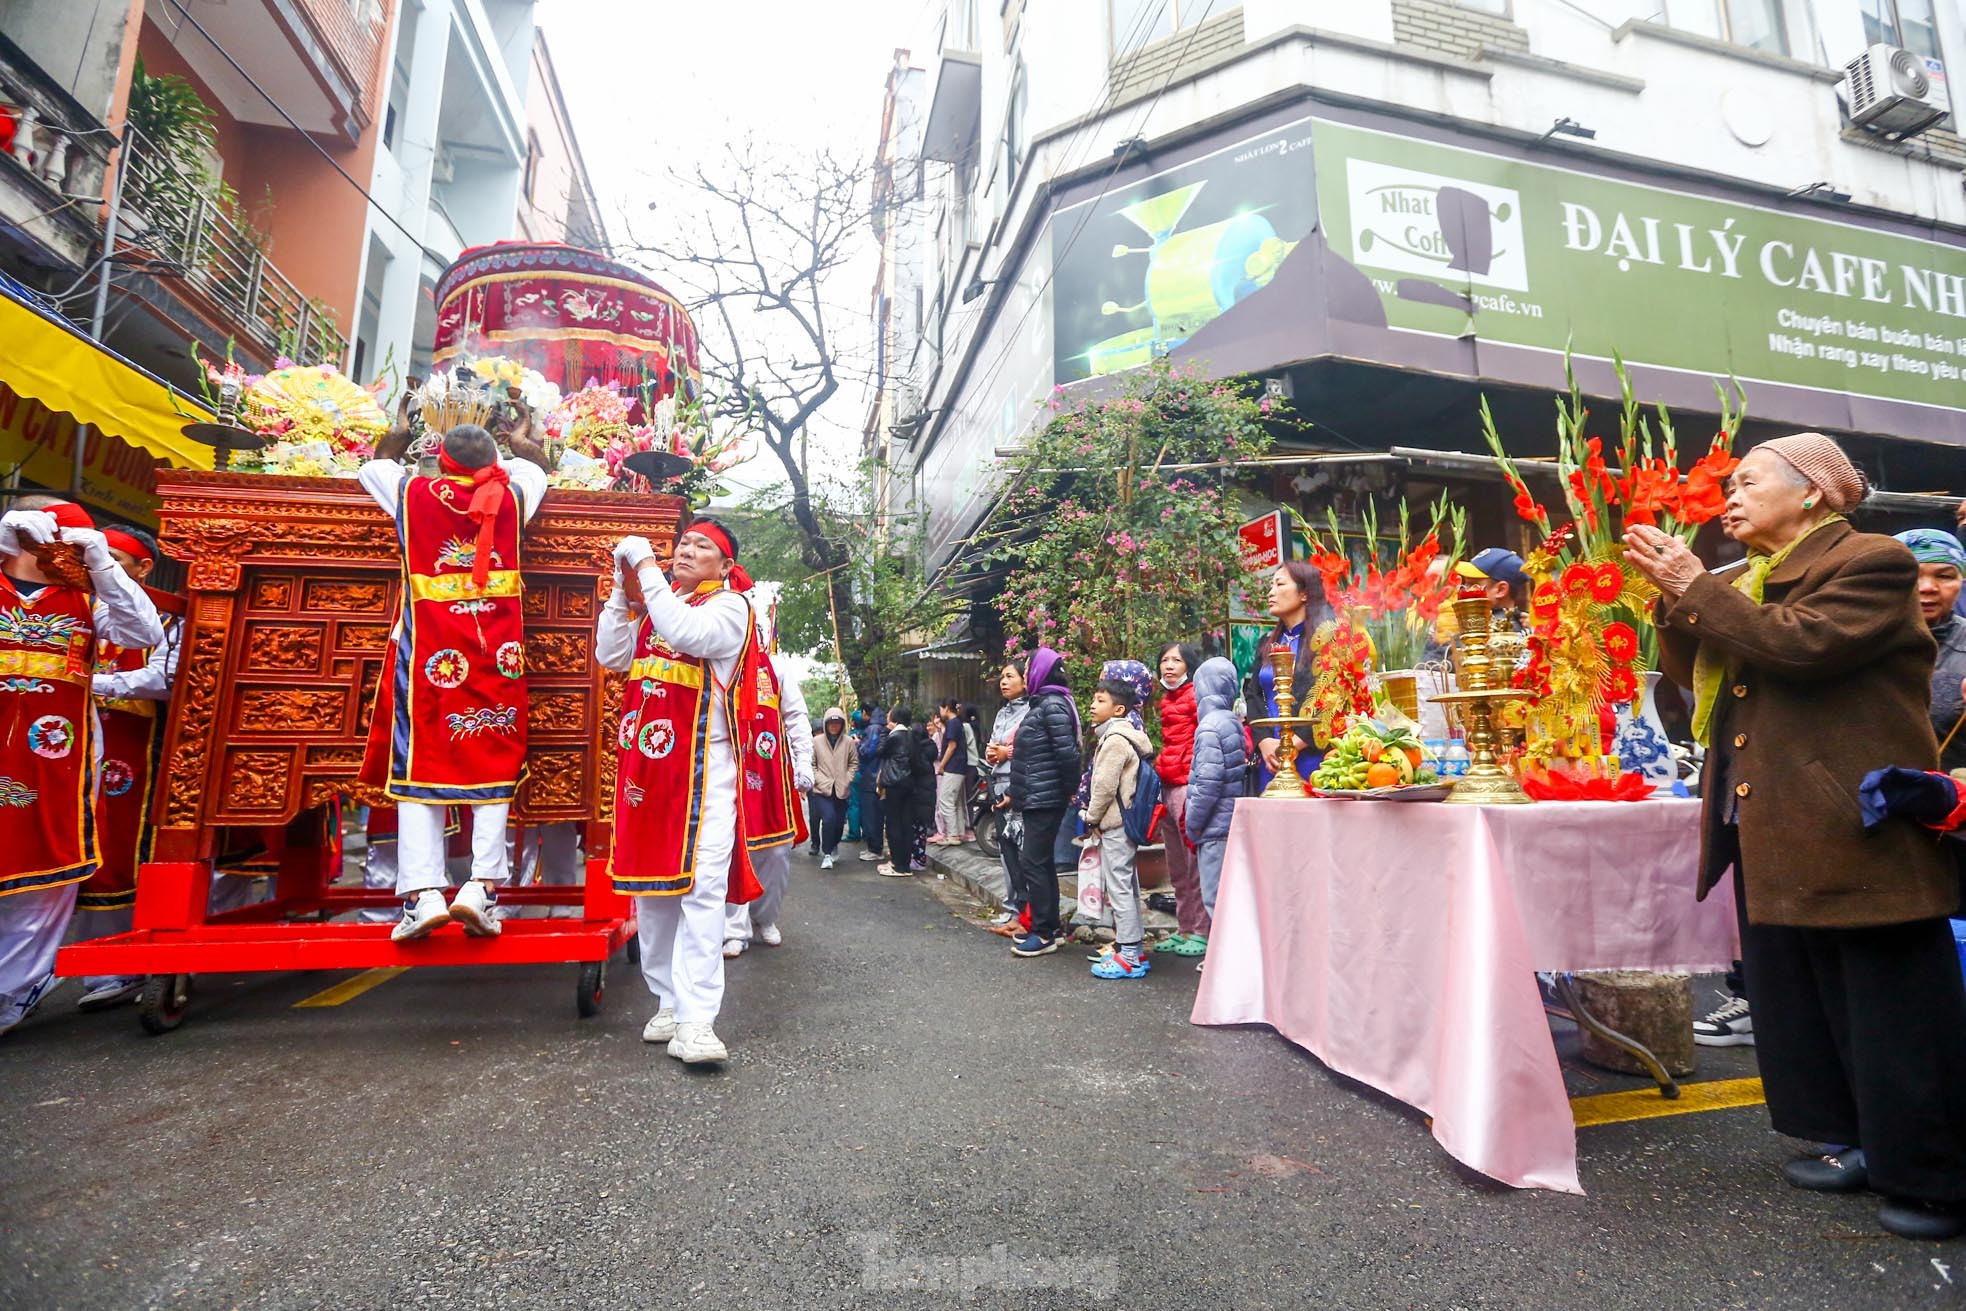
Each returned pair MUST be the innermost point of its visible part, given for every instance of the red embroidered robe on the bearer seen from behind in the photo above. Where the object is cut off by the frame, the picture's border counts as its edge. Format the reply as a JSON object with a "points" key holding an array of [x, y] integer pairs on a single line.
{"points": [[451, 709]]}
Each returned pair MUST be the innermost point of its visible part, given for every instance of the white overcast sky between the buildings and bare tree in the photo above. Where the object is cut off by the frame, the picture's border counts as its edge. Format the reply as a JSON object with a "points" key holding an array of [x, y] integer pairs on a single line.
{"points": [[654, 85]]}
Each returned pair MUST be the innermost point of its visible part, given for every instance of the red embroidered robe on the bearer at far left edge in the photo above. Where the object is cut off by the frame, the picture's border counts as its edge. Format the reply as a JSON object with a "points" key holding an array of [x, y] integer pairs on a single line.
{"points": [[48, 823]]}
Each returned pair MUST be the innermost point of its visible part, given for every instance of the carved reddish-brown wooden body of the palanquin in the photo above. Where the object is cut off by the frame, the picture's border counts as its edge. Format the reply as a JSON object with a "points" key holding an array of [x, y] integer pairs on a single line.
{"points": [[292, 593]]}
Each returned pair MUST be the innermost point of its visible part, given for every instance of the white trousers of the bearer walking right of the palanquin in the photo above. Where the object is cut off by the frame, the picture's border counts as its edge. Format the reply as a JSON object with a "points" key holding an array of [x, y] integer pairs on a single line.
{"points": [[683, 937]]}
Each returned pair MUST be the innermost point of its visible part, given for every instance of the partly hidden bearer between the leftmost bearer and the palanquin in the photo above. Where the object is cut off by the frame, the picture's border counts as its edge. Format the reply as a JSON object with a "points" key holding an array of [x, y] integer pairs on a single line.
{"points": [[133, 689]]}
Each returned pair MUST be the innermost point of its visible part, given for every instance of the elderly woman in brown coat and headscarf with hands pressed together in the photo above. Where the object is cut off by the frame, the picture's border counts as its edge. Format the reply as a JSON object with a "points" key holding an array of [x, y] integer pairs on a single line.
{"points": [[1810, 669]]}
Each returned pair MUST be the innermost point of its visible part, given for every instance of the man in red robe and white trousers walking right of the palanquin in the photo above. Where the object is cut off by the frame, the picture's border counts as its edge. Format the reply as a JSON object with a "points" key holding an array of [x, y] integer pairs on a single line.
{"points": [[695, 673]]}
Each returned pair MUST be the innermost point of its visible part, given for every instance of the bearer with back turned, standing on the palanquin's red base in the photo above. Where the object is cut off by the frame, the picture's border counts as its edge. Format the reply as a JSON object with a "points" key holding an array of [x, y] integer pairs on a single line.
{"points": [[451, 711]]}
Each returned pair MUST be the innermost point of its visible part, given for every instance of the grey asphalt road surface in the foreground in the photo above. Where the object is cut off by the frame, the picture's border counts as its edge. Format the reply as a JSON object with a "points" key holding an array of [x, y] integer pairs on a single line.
{"points": [[911, 1117]]}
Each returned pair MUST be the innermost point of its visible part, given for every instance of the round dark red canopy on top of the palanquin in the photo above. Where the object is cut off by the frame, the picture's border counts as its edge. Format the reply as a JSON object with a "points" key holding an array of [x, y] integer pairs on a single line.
{"points": [[569, 313]]}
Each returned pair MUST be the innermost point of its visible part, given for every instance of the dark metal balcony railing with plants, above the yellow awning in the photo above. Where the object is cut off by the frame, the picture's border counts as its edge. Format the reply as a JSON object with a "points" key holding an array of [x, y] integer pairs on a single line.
{"points": [[190, 235]]}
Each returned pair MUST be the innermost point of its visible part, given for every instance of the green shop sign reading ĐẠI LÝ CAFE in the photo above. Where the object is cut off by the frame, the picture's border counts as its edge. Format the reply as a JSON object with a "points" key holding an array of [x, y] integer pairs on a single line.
{"points": [[1812, 313]]}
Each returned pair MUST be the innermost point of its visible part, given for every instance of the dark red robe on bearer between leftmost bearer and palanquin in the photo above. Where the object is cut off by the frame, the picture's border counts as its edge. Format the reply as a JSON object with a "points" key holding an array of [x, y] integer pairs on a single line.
{"points": [[133, 742]]}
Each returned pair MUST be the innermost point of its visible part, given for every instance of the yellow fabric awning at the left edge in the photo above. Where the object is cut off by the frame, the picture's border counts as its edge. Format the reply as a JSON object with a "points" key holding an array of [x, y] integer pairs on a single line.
{"points": [[64, 370]]}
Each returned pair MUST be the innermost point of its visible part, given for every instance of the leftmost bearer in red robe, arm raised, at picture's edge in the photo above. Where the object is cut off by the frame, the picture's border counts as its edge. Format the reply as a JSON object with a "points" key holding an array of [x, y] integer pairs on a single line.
{"points": [[50, 636]]}
